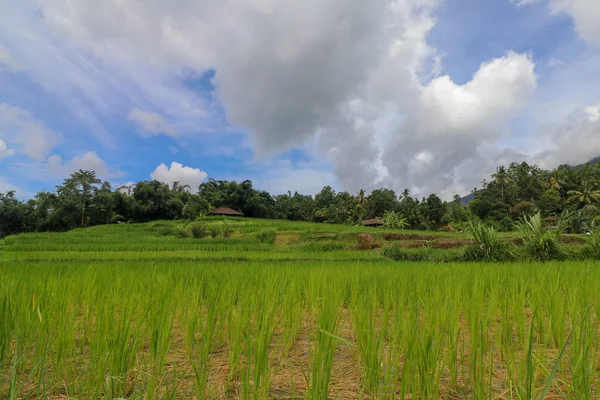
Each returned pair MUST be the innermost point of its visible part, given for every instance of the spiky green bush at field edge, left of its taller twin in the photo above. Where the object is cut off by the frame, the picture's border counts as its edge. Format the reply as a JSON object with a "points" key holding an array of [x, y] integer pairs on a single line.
{"points": [[488, 247]]}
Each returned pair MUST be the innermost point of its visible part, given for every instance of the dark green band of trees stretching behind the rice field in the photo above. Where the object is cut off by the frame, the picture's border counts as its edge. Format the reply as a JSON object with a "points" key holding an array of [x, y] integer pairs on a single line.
{"points": [[85, 200]]}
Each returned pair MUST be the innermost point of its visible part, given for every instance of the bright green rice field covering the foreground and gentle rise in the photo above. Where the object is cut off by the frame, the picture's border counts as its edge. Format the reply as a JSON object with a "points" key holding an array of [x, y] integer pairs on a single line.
{"points": [[130, 311]]}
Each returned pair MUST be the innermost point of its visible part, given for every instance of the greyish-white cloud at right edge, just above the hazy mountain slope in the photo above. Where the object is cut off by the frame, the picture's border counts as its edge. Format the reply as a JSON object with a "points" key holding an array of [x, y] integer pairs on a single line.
{"points": [[576, 141]]}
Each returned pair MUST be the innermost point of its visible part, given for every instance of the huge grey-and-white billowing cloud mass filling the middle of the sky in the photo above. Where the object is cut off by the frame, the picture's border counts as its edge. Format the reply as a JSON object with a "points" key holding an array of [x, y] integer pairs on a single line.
{"points": [[348, 75]]}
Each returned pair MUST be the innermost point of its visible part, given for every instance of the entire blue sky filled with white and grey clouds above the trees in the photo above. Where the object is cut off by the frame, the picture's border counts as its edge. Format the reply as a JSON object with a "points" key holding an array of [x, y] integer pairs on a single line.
{"points": [[428, 95]]}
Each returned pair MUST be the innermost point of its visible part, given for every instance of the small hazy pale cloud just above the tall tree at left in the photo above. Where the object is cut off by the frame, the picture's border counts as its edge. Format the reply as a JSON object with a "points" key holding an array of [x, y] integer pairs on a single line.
{"points": [[89, 161]]}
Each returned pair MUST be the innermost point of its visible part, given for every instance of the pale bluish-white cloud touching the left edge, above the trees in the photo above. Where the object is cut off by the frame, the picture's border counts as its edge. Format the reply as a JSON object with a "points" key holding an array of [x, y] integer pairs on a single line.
{"points": [[20, 128]]}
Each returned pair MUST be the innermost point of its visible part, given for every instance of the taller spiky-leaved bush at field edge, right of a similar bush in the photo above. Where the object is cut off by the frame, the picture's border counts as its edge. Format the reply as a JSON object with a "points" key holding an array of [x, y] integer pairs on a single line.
{"points": [[541, 243]]}
